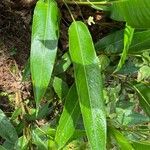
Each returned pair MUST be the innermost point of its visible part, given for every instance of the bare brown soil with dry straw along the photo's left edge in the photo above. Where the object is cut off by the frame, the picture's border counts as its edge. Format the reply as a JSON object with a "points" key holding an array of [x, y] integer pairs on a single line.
{"points": [[15, 33]]}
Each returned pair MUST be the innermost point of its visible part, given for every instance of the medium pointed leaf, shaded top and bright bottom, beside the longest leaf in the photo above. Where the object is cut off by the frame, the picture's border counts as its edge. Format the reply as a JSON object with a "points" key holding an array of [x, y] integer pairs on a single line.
{"points": [[68, 119]]}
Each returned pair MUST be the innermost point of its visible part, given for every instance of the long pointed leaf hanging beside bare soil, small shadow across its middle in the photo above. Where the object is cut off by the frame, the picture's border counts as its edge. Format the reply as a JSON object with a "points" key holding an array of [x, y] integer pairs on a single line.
{"points": [[43, 45]]}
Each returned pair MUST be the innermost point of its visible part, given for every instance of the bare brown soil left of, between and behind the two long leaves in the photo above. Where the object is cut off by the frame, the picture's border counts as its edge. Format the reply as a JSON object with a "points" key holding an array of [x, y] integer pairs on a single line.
{"points": [[15, 39]]}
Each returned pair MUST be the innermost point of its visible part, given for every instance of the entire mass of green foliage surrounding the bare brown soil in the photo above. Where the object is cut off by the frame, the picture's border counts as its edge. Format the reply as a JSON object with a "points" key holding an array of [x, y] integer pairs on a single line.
{"points": [[106, 105]]}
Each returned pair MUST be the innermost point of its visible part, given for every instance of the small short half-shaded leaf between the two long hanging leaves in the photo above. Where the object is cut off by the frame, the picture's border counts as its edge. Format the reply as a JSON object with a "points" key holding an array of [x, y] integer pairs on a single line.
{"points": [[60, 87]]}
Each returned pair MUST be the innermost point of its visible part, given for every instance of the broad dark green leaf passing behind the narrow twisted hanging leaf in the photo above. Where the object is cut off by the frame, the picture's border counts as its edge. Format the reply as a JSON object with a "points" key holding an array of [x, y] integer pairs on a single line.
{"points": [[113, 43]]}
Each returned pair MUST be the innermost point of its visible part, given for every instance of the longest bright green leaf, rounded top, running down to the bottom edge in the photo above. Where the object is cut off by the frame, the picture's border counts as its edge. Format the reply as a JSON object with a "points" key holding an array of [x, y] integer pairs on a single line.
{"points": [[89, 84]]}
